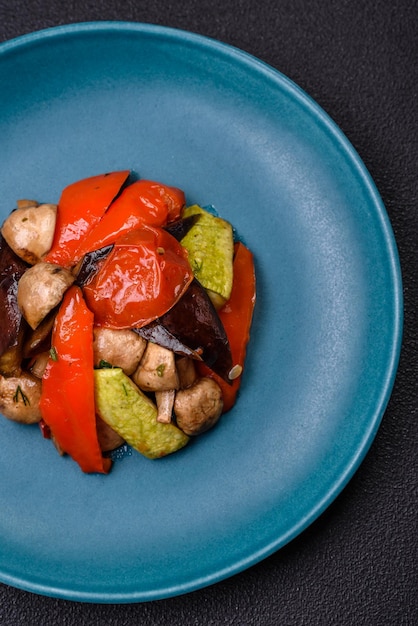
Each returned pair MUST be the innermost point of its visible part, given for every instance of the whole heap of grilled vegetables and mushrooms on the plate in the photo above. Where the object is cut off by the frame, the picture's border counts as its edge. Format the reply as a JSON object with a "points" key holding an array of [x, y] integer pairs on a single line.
{"points": [[124, 318]]}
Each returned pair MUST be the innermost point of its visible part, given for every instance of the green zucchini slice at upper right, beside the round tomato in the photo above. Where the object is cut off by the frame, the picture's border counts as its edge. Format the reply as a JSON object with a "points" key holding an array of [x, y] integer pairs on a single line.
{"points": [[210, 244]]}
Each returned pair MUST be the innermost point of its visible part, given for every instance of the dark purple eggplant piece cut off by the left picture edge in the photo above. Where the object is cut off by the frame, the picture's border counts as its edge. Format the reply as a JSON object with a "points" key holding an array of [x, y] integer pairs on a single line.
{"points": [[12, 324]]}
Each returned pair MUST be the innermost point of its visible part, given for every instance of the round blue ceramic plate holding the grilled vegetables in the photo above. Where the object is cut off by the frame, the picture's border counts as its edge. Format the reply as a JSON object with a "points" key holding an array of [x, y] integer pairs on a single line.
{"points": [[84, 99]]}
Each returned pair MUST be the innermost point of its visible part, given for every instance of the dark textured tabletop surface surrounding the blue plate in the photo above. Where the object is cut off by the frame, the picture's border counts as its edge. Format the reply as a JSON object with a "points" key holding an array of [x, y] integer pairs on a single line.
{"points": [[358, 563]]}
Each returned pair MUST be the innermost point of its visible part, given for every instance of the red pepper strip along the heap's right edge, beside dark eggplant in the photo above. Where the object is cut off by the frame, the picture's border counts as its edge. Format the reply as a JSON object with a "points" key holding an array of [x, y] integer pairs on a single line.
{"points": [[236, 316]]}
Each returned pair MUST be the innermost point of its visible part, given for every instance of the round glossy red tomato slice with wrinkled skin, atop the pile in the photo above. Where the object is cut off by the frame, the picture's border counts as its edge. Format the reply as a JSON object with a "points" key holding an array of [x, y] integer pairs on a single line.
{"points": [[144, 275]]}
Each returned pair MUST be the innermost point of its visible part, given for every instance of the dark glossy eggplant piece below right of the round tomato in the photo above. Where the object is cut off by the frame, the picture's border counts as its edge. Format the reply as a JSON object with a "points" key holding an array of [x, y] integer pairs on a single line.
{"points": [[192, 327]]}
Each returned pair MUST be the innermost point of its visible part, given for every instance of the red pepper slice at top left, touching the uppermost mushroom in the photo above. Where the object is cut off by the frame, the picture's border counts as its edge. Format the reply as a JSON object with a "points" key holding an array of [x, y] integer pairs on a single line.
{"points": [[81, 206]]}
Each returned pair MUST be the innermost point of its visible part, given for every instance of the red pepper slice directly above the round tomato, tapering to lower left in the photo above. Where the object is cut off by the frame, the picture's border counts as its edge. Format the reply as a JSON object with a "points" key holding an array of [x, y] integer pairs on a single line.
{"points": [[143, 202]]}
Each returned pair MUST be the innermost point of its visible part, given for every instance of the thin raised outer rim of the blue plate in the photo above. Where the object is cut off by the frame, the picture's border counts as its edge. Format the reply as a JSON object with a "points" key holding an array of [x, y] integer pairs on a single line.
{"points": [[260, 66]]}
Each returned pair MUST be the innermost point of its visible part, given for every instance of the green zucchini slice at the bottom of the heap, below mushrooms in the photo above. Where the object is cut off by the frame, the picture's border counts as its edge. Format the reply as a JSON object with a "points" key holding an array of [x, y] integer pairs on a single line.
{"points": [[123, 406]]}
